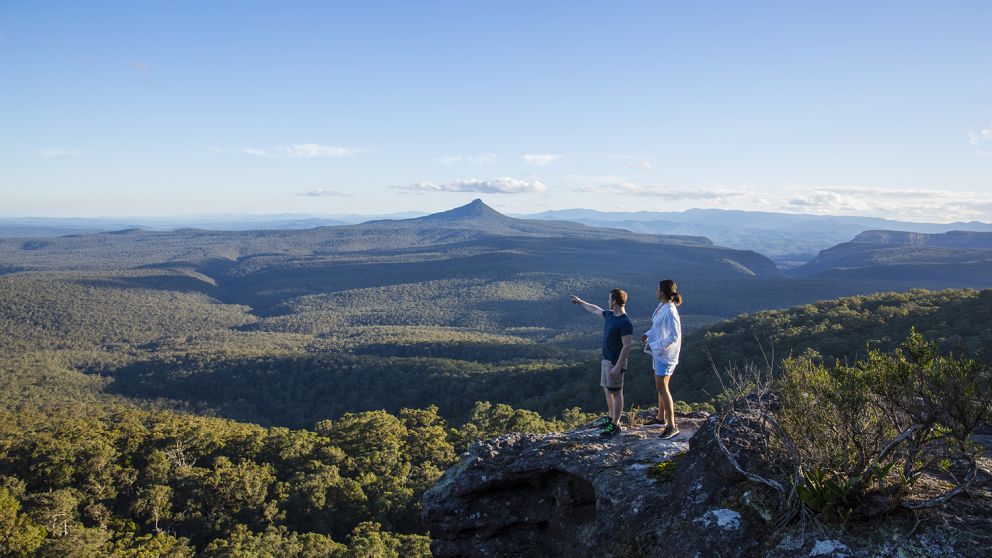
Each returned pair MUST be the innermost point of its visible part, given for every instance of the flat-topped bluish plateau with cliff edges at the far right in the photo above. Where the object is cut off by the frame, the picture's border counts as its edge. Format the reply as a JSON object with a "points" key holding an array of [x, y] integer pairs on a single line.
{"points": [[957, 258]]}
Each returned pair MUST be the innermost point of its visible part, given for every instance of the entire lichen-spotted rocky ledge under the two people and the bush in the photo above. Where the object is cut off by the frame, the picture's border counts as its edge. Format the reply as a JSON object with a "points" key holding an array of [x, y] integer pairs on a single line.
{"points": [[576, 494]]}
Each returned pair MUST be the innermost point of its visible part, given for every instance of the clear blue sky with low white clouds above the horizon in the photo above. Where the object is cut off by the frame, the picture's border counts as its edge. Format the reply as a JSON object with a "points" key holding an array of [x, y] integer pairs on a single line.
{"points": [[182, 108]]}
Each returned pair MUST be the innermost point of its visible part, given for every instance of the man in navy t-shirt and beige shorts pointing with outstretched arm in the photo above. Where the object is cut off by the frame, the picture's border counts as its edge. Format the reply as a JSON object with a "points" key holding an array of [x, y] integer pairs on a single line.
{"points": [[618, 333]]}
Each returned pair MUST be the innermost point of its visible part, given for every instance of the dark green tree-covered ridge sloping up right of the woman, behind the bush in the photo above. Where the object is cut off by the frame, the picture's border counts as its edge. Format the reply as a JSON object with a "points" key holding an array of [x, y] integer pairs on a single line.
{"points": [[846, 328]]}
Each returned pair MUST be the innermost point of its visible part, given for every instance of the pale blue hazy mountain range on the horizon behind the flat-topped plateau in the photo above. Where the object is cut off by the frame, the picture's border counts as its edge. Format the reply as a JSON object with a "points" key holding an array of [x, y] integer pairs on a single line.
{"points": [[788, 239]]}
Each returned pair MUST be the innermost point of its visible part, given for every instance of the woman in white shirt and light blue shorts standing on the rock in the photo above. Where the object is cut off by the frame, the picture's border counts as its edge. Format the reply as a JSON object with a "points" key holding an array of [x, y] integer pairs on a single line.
{"points": [[663, 342]]}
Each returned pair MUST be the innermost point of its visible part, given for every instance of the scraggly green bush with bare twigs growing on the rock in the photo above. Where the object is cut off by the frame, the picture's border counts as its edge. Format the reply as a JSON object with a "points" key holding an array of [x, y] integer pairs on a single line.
{"points": [[865, 433]]}
